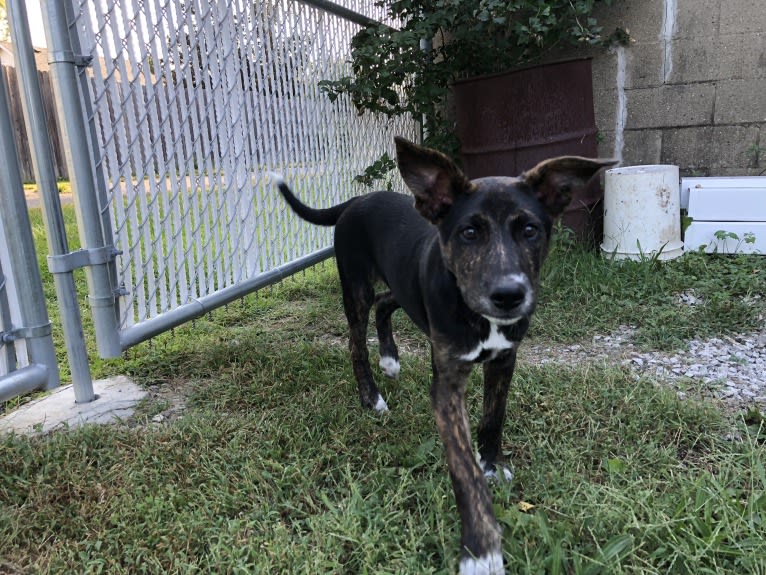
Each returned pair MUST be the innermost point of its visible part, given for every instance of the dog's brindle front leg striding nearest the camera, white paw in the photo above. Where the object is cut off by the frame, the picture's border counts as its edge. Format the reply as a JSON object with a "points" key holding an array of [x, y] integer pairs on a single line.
{"points": [[480, 539]]}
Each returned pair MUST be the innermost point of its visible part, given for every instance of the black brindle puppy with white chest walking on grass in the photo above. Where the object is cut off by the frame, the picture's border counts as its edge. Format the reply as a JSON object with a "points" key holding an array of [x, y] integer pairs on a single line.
{"points": [[463, 262]]}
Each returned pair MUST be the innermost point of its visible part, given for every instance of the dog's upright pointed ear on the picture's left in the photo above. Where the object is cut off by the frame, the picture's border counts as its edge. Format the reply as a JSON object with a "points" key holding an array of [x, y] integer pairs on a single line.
{"points": [[432, 177]]}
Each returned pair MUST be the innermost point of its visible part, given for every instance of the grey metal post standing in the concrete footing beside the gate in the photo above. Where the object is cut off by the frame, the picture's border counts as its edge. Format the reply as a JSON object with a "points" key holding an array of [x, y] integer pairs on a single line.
{"points": [[42, 159]]}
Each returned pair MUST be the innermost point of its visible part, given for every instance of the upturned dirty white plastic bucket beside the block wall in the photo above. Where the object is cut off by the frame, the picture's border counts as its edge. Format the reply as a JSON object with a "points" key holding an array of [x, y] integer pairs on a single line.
{"points": [[642, 213]]}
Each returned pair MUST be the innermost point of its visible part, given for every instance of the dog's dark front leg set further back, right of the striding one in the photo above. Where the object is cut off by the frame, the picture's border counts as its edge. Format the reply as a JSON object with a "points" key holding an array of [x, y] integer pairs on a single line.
{"points": [[497, 381]]}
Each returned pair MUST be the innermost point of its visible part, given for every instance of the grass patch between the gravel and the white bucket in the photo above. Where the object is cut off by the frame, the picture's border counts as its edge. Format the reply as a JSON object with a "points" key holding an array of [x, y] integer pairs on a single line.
{"points": [[585, 294]]}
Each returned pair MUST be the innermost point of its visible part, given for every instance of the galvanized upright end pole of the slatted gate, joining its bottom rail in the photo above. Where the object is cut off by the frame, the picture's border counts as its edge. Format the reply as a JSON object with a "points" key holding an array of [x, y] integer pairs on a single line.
{"points": [[77, 146]]}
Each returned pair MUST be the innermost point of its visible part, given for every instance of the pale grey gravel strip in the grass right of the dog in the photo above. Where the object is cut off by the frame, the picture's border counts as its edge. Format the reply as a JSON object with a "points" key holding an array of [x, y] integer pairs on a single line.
{"points": [[731, 369]]}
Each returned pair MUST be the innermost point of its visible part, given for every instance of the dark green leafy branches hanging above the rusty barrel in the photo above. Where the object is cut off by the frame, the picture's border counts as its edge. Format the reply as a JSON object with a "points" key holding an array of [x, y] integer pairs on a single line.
{"points": [[409, 70]]}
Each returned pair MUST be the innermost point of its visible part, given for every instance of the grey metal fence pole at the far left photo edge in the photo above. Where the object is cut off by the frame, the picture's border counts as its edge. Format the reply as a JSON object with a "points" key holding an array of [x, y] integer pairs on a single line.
{"points": [[35, 327]]}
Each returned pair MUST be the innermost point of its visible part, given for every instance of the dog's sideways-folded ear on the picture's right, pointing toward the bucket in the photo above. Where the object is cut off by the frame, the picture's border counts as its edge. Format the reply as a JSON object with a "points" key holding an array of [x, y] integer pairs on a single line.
{"points": [[556, 180]]}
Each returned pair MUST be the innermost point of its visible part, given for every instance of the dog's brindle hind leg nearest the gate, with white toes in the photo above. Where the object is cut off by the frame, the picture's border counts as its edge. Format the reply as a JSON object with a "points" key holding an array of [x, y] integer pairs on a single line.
{"points": [[358, 298]]}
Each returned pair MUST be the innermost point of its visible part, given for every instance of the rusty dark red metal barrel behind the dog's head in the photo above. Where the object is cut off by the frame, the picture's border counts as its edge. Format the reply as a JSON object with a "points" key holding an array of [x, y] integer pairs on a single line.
{"points": [[510, 121]]}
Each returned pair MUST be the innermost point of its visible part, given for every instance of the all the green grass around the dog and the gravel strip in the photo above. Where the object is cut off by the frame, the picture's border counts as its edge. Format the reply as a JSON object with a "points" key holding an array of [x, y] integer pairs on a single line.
{"points": [[274, 468]]}
